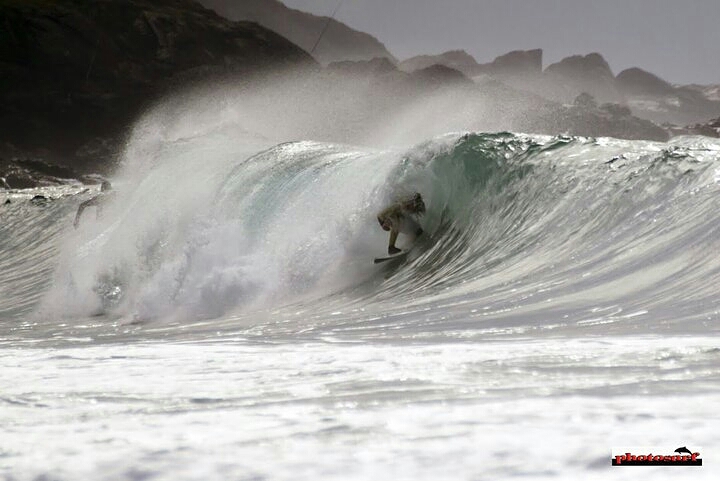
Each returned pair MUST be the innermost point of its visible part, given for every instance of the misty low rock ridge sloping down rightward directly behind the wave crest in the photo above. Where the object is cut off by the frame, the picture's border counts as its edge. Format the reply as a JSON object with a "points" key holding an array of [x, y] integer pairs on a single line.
{"points": [[444, 98]]}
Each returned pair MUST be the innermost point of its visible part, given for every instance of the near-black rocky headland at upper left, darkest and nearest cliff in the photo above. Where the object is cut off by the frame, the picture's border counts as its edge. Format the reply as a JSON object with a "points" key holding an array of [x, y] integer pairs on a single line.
{"points": [[74, 74]]}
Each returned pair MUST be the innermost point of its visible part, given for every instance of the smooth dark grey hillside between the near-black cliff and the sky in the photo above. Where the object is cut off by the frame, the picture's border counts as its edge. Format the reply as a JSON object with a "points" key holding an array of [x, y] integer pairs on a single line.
{"points": [[339, 42]]}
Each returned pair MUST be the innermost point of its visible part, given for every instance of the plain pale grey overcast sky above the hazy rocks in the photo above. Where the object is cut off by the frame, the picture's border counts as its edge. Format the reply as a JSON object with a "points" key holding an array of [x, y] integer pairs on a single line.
{"points": [[678, 40]]}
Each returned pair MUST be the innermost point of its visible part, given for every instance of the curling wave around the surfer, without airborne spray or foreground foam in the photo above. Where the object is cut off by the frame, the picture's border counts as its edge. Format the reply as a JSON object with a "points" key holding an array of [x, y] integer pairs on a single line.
{"points": [[523, 233]]}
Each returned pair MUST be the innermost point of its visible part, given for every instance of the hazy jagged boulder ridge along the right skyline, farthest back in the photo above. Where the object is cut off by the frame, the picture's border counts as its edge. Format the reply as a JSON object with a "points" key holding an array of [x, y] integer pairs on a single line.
{"points": [[647, 95]]}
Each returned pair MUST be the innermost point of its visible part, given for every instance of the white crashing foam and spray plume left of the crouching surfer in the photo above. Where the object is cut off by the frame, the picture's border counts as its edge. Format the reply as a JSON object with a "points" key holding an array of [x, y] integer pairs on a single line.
{"points": [[214, 210]]}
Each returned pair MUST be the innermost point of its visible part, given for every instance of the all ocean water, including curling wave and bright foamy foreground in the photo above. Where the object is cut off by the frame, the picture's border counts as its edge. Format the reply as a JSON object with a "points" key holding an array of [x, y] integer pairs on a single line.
{"points": [[223, 318]]}
